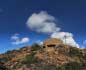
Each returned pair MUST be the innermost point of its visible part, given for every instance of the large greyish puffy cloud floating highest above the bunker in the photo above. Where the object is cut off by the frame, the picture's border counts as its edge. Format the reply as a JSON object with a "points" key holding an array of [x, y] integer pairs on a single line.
{"points": [[42, 22]]}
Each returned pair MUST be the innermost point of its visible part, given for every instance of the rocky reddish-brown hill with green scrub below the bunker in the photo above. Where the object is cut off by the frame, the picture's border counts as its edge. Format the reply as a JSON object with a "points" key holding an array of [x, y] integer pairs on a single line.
{"points": [[36, 58]]}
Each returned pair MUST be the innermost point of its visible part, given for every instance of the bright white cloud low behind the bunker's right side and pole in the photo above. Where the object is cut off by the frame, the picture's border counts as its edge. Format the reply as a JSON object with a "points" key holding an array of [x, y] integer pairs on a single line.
{"points": [[66, 37]]}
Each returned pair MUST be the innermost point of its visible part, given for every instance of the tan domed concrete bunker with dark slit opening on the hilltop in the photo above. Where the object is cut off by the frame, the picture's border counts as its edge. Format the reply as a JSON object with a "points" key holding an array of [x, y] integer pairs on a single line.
{"points": [[51, 44]]}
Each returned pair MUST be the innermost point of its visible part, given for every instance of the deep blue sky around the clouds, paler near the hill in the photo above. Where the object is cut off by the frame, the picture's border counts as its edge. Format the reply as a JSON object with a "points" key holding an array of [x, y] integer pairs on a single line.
{"points": [[70, 14]]}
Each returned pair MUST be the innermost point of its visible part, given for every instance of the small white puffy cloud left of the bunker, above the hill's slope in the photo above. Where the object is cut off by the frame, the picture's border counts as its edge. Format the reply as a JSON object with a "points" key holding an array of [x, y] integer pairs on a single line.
{"points": [[16, 40]]}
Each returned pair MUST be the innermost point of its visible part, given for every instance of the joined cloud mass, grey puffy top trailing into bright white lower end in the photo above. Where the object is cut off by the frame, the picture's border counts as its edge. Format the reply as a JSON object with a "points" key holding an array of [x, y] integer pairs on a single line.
{"points": [[45, 23]]}
